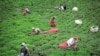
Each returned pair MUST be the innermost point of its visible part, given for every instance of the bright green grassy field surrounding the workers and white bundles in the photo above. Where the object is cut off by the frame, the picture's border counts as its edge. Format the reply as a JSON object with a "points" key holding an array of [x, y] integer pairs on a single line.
{"points": [[14, 27]]}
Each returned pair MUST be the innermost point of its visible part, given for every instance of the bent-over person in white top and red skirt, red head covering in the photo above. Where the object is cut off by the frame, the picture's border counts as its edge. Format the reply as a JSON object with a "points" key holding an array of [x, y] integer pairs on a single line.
{"points": [[69, 43]]}
